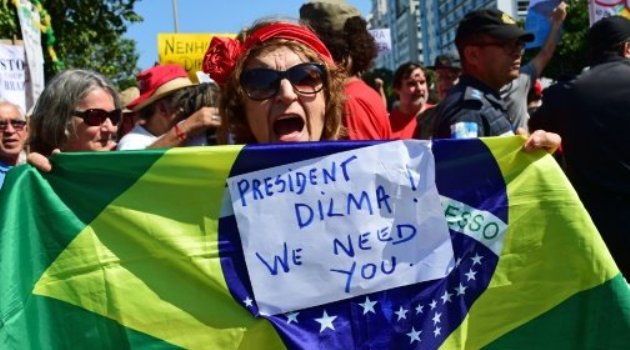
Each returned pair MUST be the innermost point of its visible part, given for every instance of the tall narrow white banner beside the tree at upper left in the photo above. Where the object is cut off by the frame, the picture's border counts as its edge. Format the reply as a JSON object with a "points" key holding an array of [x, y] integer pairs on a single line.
{"points": [[31, 35]]}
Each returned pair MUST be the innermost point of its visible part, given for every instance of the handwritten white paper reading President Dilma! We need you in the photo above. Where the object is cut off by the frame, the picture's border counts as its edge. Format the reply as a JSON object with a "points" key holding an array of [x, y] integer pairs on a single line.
{"points": [[335, 227]]}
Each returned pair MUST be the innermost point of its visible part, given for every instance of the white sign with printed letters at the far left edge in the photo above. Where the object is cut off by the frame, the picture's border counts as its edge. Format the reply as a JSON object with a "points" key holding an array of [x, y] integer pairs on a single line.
{"points": [[12, 75]]}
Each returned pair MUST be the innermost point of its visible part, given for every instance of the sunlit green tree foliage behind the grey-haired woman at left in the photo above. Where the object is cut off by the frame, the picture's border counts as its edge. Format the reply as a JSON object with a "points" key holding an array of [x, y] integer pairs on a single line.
{"points": [[89, 35]]}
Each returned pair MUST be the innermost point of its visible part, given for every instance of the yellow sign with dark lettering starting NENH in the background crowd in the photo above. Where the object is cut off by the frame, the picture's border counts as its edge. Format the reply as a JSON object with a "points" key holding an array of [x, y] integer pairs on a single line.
{"points": [[185, 49]]}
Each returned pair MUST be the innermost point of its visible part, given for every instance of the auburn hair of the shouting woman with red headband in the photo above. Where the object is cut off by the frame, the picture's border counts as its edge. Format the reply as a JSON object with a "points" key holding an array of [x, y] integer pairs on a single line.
{"points": [[232, 107]]}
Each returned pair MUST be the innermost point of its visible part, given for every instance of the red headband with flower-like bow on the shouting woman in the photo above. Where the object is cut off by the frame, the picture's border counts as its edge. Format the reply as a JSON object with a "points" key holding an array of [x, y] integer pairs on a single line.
{"points": [[220, 59]]}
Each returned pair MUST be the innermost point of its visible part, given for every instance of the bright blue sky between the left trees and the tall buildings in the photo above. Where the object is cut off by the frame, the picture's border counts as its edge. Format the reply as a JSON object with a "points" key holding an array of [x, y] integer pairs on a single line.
{"points": [[207, 16]]}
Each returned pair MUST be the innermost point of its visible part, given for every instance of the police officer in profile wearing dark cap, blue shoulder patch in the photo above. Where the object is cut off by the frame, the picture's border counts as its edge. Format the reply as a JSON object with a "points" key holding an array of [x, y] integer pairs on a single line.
{"points": [[490, 46]]}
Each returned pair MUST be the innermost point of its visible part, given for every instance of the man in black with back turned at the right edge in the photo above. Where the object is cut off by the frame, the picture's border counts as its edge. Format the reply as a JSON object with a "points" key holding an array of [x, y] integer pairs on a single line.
{"points": [[592, 114]]}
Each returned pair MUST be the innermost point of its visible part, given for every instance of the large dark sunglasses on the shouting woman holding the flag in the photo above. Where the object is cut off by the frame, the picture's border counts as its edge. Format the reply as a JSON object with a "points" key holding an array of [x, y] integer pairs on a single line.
{"points": [[262, 83]]}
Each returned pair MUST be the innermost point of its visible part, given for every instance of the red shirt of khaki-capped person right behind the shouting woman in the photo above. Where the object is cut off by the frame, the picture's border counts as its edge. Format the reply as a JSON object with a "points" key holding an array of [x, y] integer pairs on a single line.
{"points": [[365, 115]]}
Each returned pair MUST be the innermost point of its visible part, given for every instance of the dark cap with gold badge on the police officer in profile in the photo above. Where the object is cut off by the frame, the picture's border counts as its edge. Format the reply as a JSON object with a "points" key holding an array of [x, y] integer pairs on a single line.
{"points": [[491, 22]]}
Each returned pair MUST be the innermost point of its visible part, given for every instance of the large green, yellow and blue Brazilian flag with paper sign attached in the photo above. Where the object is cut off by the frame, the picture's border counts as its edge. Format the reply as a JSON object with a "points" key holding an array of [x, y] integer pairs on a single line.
{"points": [[154, 250]]}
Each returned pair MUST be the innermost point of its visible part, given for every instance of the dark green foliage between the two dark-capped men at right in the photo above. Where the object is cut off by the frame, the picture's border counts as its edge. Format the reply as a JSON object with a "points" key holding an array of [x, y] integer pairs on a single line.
{"points": [[570, 56]]}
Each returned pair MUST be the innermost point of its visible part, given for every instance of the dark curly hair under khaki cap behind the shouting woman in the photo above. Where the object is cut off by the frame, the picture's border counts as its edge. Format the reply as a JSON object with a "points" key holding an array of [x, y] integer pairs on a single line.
{"points": [[353, 42]]}
